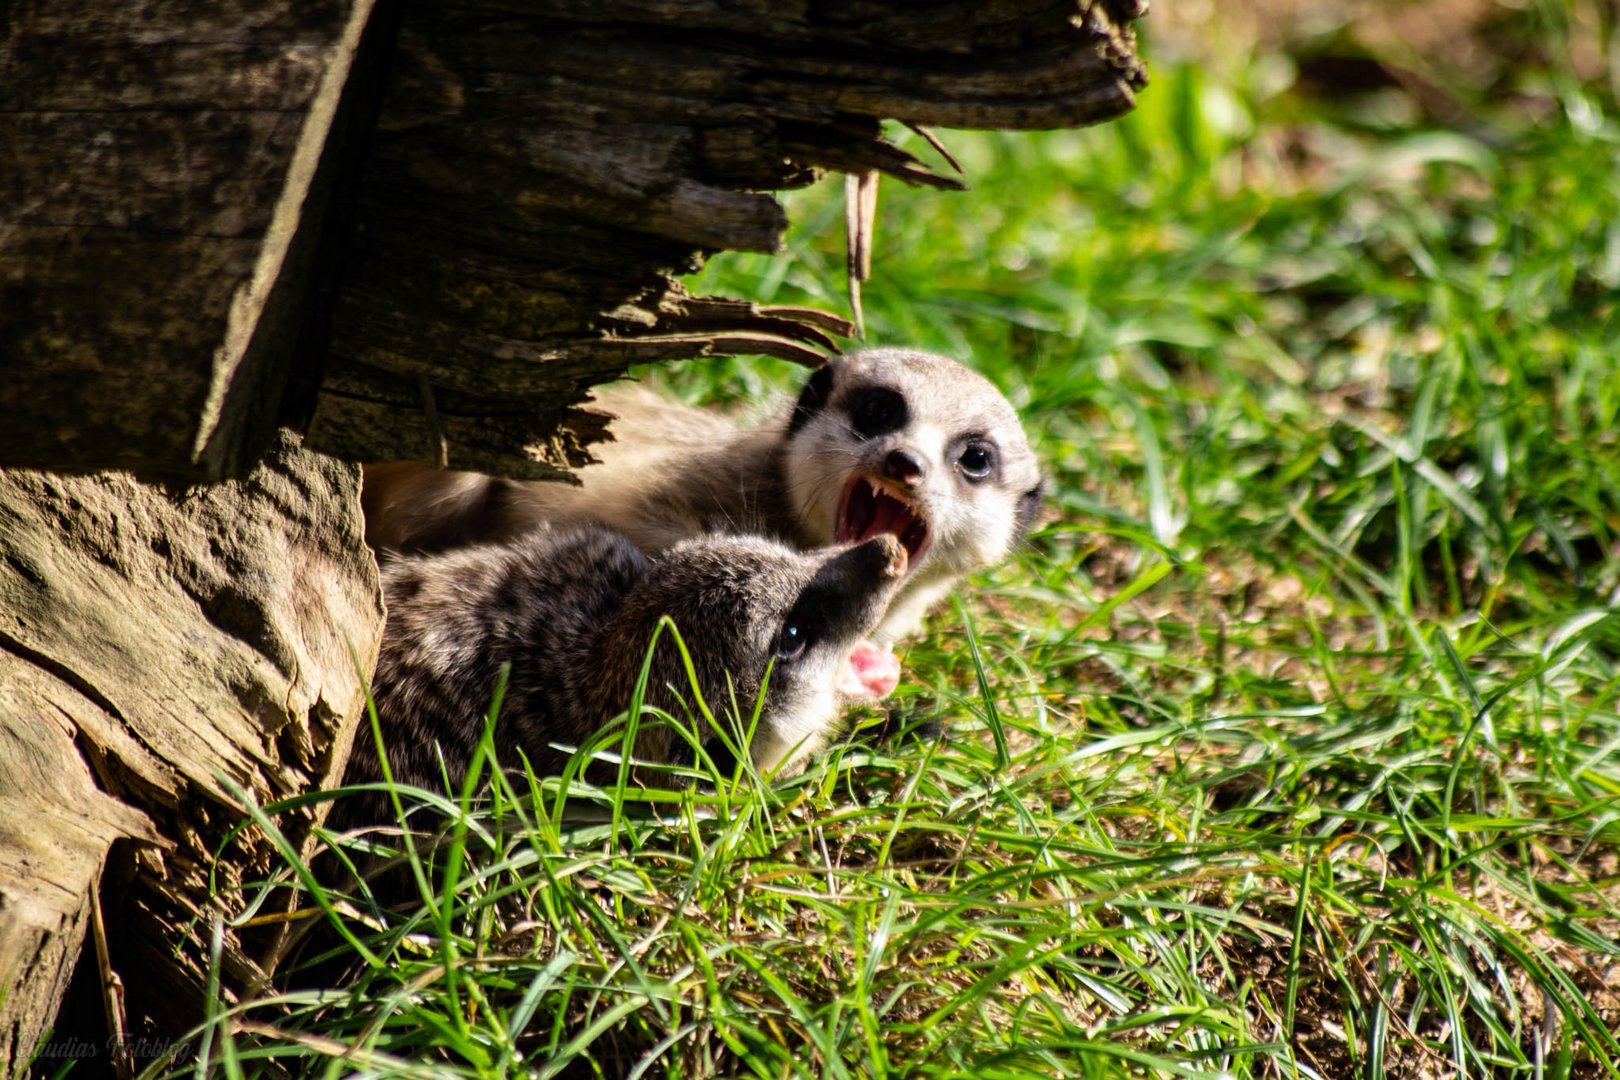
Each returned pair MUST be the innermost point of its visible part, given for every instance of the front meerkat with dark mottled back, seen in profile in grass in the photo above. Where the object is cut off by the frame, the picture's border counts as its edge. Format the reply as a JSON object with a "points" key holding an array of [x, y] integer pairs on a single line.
{"points": [[573, 613]]}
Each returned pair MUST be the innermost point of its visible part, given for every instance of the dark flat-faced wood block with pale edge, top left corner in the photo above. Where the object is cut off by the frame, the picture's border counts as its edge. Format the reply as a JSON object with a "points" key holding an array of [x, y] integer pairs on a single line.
{"points": [[164, 192]]}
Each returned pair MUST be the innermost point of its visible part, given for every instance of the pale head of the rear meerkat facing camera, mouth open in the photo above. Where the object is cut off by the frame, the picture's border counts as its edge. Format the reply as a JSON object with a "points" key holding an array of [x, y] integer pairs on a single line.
{"points": [[893, 441]]}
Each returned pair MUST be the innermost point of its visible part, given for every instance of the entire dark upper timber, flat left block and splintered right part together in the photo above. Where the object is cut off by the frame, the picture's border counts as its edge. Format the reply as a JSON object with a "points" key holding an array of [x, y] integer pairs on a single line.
{"points": [[177, 185]]}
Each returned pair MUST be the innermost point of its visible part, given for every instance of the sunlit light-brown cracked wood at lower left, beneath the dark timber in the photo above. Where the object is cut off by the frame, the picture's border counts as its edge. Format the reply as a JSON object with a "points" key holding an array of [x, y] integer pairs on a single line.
{"points": [[156, 644]]}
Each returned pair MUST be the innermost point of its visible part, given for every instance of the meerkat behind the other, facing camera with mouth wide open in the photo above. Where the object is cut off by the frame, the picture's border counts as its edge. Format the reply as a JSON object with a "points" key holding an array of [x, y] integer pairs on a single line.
{"points": [[884, 441]]}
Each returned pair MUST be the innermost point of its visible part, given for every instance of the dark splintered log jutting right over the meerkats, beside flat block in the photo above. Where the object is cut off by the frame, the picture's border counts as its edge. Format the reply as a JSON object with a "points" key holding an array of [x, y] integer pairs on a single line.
{"points": [[544, 172]]}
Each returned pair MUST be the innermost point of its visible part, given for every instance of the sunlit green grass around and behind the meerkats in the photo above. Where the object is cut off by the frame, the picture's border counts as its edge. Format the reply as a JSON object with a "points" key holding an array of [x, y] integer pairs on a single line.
{"points": [[1290, 746]]}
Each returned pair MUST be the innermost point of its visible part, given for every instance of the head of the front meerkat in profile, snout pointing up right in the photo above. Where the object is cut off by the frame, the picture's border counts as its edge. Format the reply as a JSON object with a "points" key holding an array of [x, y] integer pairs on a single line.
{"points": [[749, 608]]}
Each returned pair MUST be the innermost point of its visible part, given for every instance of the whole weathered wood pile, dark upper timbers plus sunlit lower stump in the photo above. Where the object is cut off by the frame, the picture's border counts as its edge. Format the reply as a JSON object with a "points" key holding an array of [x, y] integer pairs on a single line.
{"points": [[407, 232]]}
